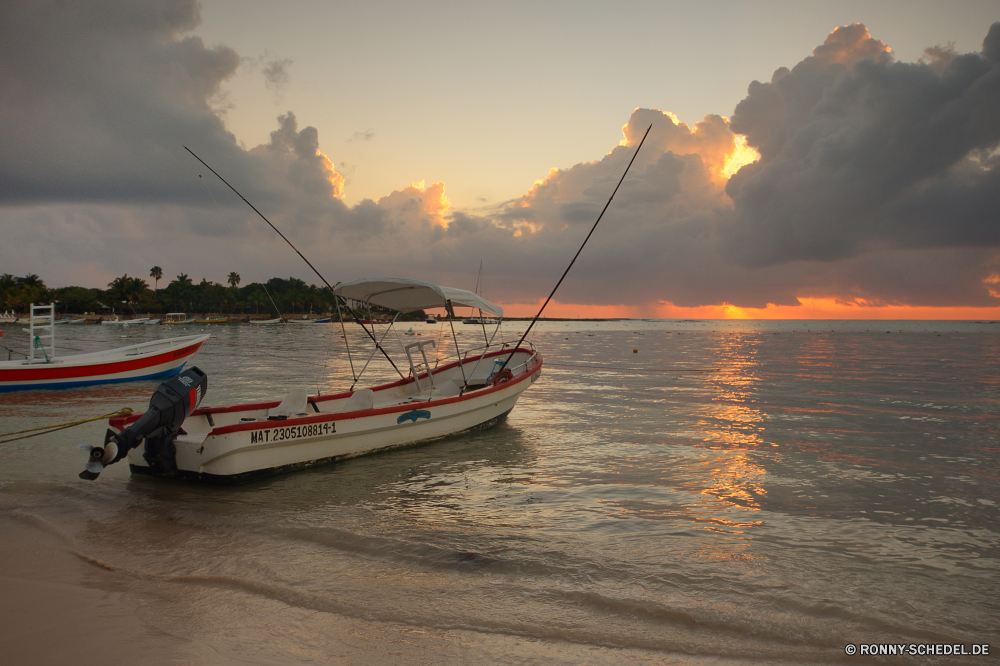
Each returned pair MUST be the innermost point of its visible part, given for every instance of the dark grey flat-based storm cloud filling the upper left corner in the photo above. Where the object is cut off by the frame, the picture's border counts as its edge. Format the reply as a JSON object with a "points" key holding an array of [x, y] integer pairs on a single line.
{"points": [[98, 98]]}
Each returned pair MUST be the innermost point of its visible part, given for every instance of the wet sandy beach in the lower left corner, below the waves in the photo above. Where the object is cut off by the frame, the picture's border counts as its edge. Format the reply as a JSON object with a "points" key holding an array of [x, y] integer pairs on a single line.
{"points": [[57, 606]]}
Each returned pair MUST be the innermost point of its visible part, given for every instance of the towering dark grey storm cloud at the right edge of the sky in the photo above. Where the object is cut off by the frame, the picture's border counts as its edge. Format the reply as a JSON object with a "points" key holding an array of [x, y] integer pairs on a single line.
{"points": [[857, 149]]}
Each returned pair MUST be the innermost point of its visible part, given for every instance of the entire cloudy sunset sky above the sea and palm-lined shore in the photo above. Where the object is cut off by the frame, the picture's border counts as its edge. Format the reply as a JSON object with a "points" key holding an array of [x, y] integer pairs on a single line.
{"points": [[806, 160]]}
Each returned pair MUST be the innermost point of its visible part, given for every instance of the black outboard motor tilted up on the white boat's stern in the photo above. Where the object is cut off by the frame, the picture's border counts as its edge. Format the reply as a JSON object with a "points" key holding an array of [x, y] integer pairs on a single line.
{"points": [[173, 402]]}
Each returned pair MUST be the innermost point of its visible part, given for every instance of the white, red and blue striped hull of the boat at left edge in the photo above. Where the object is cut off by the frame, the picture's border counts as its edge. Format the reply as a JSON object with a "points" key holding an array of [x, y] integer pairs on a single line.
{"points": [[150, 360]]}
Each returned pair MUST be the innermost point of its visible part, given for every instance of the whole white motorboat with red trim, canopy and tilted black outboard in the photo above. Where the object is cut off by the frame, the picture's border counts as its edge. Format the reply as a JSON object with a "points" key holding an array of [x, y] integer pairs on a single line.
{"points": [[476, 388]]}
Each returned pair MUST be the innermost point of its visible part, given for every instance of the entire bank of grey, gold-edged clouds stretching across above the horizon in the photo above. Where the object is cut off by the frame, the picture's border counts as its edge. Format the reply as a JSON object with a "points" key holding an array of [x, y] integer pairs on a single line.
{"points": [[848, 176]]}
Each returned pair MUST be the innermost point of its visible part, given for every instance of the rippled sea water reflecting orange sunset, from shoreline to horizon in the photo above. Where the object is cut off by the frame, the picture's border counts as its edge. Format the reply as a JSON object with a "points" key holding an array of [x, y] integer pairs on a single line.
{"points": [[802, 489]]}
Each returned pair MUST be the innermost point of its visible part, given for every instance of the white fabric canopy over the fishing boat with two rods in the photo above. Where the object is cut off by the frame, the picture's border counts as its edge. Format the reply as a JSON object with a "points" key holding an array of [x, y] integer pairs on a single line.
{"points": [[404, 295]]}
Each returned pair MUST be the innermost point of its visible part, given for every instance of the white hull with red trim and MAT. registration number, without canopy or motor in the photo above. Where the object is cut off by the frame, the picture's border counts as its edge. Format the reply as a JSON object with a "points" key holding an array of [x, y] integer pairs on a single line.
{"points": [[240, 452]]}
